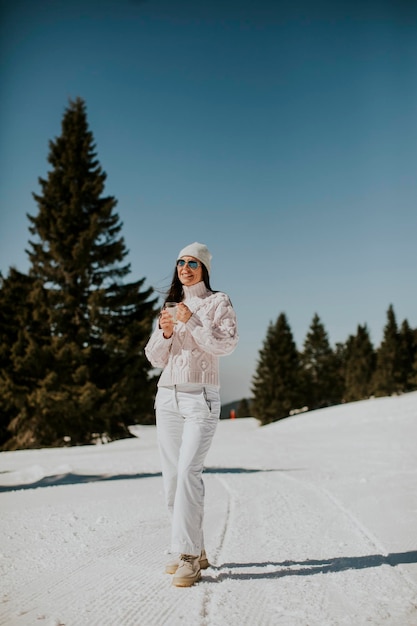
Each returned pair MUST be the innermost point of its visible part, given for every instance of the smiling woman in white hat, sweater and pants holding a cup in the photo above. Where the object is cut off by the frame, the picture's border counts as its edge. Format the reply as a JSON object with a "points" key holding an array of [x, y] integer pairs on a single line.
{"points": [[187, 403]]}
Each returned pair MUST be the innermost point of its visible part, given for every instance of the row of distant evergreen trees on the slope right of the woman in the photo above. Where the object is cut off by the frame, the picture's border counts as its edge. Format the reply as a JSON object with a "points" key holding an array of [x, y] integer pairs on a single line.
{"points": [[288, 380]]}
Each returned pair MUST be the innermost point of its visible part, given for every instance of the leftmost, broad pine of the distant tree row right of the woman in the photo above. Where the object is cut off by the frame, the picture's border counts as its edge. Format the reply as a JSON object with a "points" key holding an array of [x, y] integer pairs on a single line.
{"points": [[276, 384]]}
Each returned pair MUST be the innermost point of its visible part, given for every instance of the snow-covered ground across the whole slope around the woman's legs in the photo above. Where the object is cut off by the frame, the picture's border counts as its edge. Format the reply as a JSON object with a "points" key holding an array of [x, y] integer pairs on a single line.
{"points": [[309, 521]]}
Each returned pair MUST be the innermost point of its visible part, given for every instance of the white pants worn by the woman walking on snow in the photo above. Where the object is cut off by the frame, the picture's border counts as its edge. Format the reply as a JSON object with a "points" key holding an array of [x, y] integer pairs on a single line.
{"points": [[186, 420]]}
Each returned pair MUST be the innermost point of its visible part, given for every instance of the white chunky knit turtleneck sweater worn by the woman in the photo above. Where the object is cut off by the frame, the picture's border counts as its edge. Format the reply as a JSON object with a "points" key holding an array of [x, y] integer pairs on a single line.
{"points": [[191, 354]]}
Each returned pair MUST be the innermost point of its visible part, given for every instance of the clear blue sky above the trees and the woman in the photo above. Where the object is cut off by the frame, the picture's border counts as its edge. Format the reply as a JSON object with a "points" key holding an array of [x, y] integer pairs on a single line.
{"points": [[281, 134]]}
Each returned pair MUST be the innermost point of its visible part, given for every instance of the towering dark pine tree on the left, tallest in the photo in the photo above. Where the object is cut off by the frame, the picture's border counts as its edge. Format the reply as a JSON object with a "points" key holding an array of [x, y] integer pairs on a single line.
{"points": [[93, 378]]}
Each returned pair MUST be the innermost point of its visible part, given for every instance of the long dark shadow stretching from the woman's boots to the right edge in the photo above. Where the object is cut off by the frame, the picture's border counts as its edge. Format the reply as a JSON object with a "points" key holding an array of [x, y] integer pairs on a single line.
{"points": [[269, 570]]}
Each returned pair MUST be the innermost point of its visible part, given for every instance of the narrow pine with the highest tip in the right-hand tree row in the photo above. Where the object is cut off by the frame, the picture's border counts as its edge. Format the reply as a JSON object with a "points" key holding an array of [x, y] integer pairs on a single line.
{"points": [[387, 377]]}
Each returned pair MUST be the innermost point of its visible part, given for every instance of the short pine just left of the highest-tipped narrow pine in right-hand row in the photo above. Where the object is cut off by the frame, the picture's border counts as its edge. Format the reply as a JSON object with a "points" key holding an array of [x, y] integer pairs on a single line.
{"points": [[360, 366]]}
